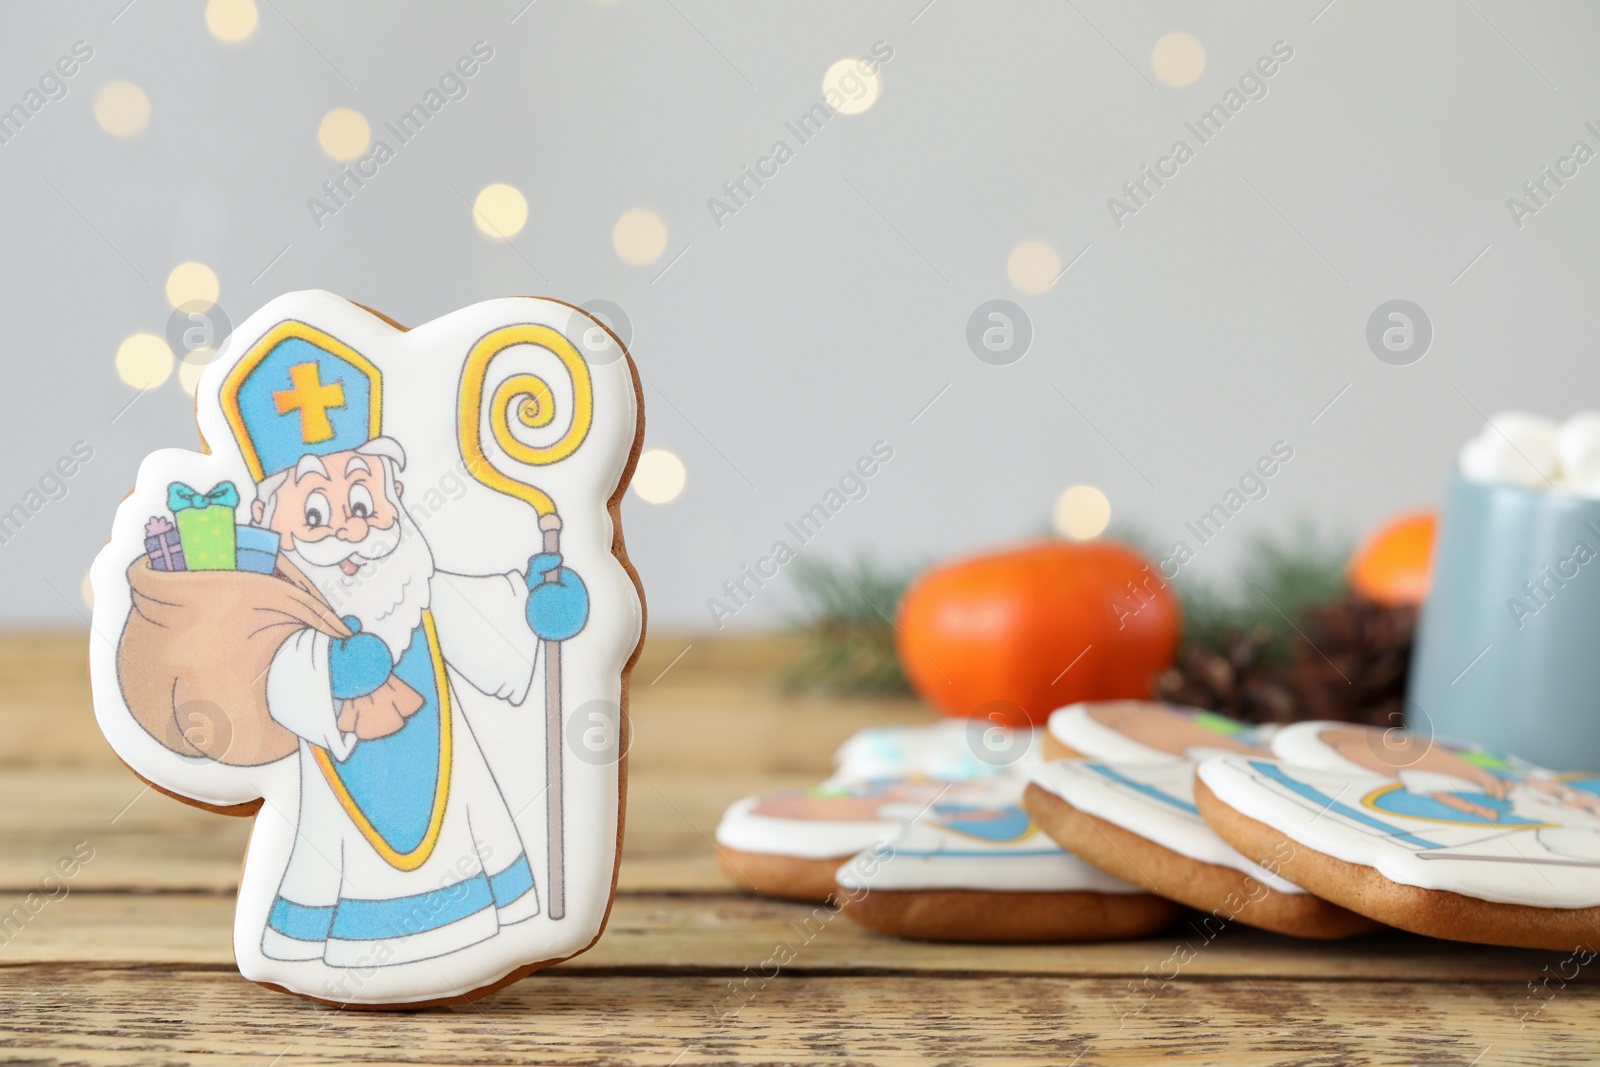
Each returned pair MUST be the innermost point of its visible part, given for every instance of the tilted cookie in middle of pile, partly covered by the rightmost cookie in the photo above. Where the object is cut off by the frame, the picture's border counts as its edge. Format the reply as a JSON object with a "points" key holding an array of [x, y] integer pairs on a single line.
{"points": [[1129, 807]]}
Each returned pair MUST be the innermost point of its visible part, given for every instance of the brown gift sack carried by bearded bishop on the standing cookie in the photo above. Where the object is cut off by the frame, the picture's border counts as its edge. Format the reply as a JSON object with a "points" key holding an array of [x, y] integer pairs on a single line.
{"points": [[194, 658]]}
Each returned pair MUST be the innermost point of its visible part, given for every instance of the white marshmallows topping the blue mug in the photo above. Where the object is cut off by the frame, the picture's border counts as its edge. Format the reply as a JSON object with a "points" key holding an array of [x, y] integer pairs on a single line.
{"points": [[1537, 454]]}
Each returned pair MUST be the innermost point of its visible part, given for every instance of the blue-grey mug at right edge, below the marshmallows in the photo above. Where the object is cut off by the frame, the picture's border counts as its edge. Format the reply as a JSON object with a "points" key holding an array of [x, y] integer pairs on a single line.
{"points": [[1508, 649]]}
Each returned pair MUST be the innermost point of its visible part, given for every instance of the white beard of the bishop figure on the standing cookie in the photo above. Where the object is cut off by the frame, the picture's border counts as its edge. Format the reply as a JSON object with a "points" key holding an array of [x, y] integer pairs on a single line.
{"points": [[388, 594]]}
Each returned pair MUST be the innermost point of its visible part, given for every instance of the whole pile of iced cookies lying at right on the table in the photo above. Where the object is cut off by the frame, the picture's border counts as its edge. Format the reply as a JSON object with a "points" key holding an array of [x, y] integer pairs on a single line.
{"points": [[1118, 813]]}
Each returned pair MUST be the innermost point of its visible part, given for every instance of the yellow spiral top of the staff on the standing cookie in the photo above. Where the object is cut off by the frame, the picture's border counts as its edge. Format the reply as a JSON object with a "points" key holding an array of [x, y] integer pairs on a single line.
{"points": [[527, 399]]}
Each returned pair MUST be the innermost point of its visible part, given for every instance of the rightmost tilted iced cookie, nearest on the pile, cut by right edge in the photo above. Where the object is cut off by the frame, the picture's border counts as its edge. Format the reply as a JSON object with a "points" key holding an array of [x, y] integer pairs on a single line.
{"points": [[1498, 863]]}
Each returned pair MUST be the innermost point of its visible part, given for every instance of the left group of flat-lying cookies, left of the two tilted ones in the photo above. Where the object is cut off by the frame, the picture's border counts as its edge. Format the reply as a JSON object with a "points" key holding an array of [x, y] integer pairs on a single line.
{"points": [[921, 834]]}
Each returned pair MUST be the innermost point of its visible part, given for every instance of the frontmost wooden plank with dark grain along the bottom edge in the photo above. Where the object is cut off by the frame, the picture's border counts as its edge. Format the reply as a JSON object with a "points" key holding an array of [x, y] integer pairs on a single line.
{"points": [[156, 1017]]}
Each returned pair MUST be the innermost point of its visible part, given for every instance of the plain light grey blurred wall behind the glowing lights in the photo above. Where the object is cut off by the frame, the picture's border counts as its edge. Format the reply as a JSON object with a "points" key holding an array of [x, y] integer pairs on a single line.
{"points": [[826, 314]]}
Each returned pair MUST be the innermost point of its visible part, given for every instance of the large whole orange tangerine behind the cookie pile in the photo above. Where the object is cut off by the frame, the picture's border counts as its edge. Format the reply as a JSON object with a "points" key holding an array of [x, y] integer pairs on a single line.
{"points": [[1014, 636]]}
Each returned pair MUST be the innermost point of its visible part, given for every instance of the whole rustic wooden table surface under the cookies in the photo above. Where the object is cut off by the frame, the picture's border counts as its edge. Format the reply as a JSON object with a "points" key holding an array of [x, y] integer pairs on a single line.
{"points": [[134, 962]]}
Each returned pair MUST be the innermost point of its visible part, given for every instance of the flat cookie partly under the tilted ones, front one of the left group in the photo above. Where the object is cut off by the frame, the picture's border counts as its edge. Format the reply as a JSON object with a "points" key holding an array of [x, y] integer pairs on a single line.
{"points": [[982, 873]]}
